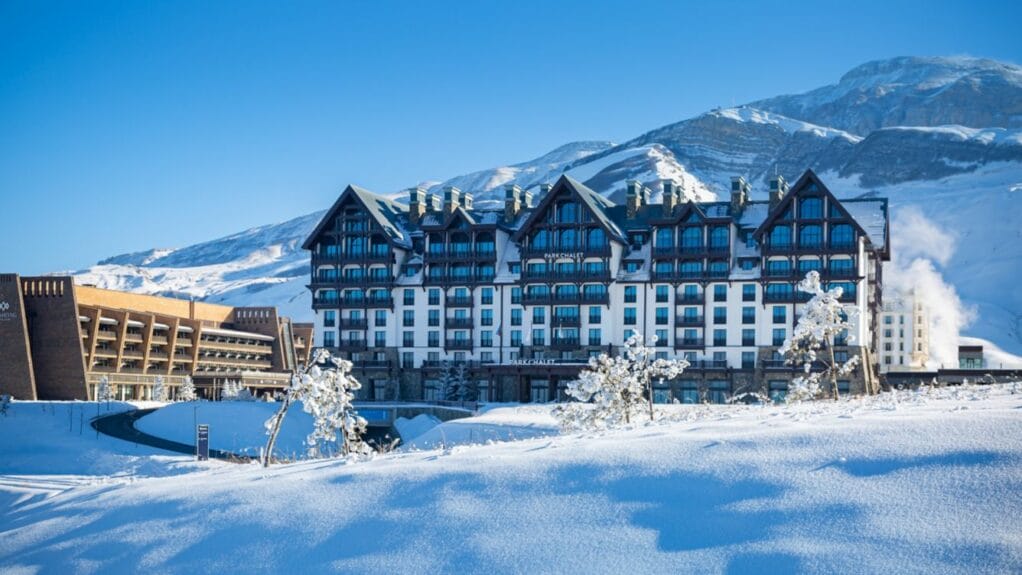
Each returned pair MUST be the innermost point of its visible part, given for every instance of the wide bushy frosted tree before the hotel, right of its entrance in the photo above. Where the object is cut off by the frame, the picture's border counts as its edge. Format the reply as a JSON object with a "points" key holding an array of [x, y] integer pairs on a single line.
{"points": [[619, 388]]}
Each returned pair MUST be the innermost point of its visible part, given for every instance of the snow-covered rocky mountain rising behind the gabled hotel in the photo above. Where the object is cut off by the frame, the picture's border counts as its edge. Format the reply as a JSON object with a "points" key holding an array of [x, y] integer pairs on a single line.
{"points": [[964, 178]]}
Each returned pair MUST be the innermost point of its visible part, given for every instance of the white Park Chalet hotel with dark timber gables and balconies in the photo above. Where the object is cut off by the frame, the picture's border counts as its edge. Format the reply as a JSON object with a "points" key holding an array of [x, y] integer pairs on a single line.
{"points": [[524, 295]]}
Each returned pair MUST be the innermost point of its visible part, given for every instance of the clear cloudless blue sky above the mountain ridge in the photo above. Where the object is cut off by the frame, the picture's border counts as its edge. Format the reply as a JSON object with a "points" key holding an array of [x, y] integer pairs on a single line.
{"points": [[133, 125]]}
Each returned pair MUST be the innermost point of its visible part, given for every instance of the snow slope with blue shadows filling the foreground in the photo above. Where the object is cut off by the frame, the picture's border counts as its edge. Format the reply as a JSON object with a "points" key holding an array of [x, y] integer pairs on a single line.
{"points": [[917, 483]]}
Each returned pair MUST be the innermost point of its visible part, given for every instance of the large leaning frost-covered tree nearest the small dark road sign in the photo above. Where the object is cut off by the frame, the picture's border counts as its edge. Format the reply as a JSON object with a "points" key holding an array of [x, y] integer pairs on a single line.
{"points": [[327, 394]]}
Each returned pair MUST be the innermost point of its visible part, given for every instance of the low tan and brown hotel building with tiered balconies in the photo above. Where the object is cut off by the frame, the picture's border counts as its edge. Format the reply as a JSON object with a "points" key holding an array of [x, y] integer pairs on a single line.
{"points": [[58, 340]]}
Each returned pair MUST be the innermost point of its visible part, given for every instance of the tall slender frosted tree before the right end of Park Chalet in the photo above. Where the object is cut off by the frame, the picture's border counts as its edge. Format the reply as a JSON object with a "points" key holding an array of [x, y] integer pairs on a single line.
{"points": [[823, 320]]}
